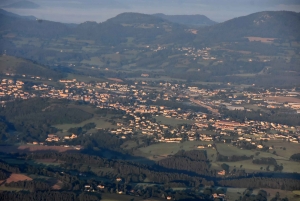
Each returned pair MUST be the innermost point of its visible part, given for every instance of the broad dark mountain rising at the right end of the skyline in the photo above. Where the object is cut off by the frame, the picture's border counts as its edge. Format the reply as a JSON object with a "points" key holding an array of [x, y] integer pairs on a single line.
{"points": [[270, 24]]}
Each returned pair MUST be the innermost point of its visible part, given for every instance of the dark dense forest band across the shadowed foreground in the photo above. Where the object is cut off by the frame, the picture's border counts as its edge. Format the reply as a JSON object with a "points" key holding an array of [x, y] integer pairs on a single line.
{"points": [[162, 177]]}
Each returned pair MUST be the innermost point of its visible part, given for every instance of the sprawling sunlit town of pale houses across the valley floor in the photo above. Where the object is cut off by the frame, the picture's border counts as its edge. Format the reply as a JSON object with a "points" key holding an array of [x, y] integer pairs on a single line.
{"points": [[133, 98]]}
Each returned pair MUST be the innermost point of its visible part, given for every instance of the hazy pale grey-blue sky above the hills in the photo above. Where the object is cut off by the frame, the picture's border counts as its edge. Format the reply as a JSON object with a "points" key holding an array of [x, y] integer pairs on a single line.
{"points": [[78, 11]]}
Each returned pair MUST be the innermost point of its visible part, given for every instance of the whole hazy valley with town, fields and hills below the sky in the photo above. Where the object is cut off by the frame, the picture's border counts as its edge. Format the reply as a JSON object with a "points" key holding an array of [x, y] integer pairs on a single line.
{"points": [[139, 107]]}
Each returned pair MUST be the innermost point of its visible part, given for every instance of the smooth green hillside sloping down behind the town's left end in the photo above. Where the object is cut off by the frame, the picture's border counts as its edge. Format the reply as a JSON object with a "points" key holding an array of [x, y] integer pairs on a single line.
{"points": [[13, 65]]}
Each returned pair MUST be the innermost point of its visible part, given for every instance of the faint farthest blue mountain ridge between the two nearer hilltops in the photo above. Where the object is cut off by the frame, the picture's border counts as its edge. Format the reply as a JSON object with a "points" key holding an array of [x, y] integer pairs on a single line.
{"points": [[189, 20]]}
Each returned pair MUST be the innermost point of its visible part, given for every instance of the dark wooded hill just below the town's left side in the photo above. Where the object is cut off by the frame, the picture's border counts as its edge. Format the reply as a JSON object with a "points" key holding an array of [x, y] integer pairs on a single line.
{"points": [[33, 119]]}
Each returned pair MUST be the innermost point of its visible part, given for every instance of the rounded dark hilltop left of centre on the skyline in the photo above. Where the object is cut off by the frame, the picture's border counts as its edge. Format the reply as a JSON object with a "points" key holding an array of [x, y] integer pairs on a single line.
{"points": [[141, 28]]}
